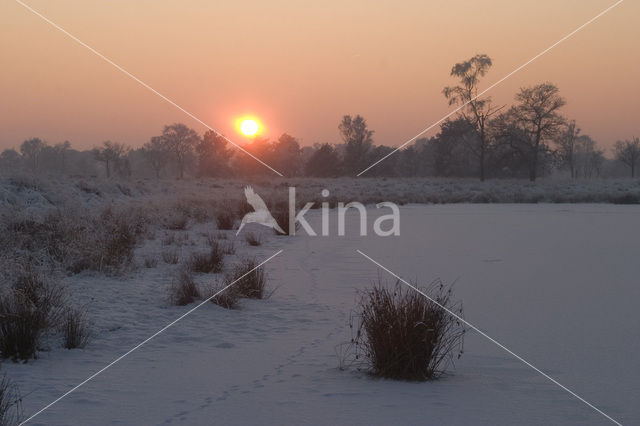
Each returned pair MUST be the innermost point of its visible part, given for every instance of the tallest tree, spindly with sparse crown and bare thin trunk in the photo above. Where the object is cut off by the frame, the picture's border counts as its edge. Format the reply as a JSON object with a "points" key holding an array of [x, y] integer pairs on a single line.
{"points": [[475, 110]]}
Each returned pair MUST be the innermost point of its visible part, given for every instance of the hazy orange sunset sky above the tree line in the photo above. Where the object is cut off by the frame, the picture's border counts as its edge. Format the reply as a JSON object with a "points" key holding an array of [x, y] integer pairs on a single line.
{"points": [[300, 66]]}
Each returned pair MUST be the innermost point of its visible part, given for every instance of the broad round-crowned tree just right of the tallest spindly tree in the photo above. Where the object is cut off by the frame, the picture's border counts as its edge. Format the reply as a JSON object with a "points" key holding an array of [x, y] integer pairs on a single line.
{"points": [[538, 118]]}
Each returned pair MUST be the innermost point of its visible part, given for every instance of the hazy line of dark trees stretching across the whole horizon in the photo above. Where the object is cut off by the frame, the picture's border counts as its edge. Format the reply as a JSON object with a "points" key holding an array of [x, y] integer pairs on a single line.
{"points": [[525, 140]]}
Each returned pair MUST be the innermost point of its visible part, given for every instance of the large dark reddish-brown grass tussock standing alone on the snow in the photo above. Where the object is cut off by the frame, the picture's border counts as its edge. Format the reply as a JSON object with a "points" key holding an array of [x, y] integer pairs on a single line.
{"points": [[404, 335]]}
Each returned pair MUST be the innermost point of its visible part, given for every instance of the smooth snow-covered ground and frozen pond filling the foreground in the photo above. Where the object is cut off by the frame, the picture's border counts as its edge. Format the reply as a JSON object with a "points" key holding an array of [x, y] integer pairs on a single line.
{"points": [[556, 283]]}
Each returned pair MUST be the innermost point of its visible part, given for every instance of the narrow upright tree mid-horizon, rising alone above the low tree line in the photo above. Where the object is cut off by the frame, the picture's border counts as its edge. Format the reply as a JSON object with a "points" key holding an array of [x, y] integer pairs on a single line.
{"points": [[358, 140]]}
